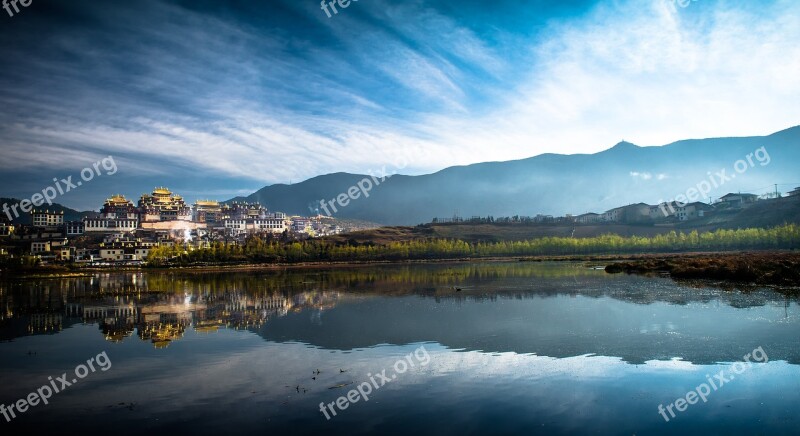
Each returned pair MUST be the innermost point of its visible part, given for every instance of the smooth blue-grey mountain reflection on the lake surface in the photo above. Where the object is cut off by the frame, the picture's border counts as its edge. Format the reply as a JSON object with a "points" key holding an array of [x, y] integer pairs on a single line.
{"points": [[562, 325]]}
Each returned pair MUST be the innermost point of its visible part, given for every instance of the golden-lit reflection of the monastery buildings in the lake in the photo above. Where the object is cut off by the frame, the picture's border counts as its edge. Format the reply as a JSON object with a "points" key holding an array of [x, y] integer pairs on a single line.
{"points": [[123, 309]]}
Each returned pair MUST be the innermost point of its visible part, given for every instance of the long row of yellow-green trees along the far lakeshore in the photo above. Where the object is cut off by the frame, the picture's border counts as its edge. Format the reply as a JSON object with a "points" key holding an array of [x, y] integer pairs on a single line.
{"points": [[259, 250]]}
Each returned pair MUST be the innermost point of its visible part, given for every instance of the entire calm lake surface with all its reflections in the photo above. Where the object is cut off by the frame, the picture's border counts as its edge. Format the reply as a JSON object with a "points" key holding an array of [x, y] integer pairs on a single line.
{"points": [[522, 348]]}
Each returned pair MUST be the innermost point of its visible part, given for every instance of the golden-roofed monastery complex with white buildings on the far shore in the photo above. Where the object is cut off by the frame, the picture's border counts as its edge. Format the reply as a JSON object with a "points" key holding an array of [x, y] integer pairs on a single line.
{"points": [[129, 231]]}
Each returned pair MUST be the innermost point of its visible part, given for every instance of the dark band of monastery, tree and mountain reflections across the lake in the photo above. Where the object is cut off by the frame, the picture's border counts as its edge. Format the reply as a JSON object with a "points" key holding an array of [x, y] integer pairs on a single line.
{"points": [[553, 309]]}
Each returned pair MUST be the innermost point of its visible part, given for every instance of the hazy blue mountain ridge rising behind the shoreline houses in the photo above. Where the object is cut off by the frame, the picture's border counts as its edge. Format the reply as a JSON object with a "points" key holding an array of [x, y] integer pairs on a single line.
{"points": [[554, 184]]}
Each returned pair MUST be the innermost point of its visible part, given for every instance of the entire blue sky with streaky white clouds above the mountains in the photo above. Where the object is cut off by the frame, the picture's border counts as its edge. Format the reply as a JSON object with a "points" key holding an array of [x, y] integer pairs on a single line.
{"points": [[218, 99]]}
